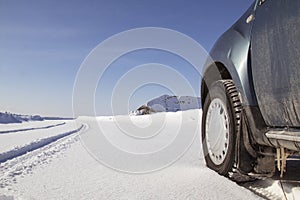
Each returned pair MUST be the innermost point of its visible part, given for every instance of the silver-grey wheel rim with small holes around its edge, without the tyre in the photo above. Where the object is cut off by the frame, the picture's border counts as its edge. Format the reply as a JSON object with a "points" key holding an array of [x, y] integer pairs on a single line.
{"points": [[217, 131]]}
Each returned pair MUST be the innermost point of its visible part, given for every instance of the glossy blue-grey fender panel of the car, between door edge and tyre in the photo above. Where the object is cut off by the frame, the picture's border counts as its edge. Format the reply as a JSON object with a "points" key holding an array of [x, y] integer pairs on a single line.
{"points": [[232, 51]]}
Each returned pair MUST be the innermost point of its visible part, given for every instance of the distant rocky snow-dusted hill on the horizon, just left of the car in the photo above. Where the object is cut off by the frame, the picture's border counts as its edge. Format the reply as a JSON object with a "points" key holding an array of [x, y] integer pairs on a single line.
{"points": [[166, 103]]}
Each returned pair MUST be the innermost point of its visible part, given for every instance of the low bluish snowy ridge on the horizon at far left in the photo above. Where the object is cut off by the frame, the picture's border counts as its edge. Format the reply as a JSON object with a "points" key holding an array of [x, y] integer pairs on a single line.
{"points": [[7, 118]]}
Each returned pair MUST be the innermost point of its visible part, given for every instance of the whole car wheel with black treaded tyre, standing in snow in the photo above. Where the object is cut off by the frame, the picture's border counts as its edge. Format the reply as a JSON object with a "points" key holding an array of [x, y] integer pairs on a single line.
{"points": [[220, 126]]}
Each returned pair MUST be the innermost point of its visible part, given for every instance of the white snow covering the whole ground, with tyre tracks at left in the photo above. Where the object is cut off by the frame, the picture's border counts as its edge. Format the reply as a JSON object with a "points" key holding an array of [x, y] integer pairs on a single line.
{"points": [[62, 164]]}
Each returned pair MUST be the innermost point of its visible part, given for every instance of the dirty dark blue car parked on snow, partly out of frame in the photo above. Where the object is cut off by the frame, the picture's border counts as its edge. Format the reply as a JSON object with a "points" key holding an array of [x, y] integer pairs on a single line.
{"points": [[250, 93]]}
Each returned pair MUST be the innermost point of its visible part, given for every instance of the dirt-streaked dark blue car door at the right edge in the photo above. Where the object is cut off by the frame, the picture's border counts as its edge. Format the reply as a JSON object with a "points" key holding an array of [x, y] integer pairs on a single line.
{"points": [[275, 61]]}
